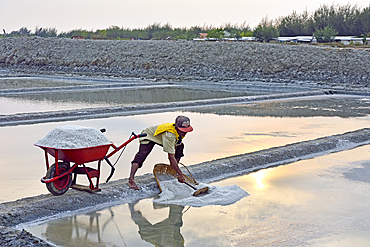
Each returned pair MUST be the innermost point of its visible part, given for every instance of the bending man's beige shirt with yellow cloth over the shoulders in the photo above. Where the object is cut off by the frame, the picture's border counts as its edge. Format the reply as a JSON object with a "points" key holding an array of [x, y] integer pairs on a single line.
{"points": [[164, 135]]}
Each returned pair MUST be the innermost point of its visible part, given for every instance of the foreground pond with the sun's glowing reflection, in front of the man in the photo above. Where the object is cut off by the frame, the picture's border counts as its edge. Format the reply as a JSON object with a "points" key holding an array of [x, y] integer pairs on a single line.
{"points": [[309, 202]]}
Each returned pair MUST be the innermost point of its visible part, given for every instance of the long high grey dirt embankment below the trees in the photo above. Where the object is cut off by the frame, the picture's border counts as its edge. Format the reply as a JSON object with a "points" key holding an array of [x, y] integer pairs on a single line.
{"points": [[185, 60]]}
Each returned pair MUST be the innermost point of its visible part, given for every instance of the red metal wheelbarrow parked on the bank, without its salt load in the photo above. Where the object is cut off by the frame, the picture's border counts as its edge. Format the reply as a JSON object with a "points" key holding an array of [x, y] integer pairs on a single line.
{"points": [[58, 178]]}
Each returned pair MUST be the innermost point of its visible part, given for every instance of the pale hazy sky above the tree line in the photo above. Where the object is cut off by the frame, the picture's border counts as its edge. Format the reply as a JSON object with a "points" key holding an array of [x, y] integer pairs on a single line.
{"points": [[67, 15]]}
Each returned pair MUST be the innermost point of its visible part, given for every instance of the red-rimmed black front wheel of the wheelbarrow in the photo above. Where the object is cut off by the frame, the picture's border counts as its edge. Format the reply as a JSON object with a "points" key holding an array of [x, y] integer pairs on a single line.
{"points": [[62, 185]]}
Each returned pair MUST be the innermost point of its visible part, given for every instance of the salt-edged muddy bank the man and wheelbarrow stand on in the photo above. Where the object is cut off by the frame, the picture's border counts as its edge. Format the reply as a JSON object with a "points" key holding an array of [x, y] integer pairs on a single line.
{"points": [[117, 192]]}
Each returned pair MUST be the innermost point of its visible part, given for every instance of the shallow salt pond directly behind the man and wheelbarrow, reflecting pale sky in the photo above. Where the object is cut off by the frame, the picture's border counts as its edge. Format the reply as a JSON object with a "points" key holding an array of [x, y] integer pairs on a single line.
{"points": [[215, 136]]}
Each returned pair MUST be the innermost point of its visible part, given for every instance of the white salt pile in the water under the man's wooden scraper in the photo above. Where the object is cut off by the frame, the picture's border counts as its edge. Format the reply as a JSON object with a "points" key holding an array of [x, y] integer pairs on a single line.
{"points": [[174, 192]]}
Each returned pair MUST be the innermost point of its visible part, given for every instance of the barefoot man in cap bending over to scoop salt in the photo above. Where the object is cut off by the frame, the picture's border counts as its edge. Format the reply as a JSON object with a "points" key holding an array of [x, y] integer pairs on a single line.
{"points": [[167, 135]]}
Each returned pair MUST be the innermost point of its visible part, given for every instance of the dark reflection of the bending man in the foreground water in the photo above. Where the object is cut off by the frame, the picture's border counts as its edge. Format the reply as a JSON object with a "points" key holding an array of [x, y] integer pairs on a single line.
{"points": [[164, 233]]}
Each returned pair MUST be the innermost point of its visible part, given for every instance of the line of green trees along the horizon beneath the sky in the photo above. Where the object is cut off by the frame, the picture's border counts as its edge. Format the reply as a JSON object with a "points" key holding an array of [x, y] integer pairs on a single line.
{"points": [[326, 21]]}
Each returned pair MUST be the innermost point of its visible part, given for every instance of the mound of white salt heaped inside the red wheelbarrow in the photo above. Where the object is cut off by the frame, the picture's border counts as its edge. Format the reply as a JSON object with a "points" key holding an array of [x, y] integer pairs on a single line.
{"points": [[73, 137]]}
